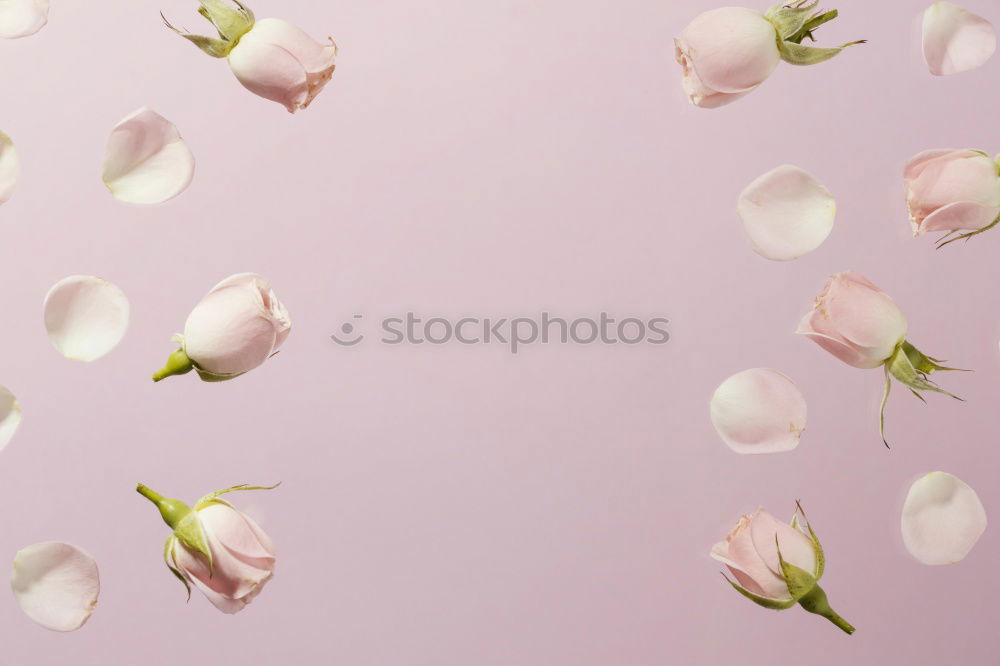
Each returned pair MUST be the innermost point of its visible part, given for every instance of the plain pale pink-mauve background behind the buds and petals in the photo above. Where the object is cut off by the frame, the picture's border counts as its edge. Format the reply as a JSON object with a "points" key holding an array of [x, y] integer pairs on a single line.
{"points": [[456, 506]]}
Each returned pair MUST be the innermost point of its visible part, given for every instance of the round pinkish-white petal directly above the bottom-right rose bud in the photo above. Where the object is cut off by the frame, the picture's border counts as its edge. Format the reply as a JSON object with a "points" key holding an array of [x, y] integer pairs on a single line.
{"points": [[759, 411]]}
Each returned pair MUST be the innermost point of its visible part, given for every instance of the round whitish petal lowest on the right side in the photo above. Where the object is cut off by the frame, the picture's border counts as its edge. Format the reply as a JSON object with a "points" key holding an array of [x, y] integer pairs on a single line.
{"points": [[942, 519]]}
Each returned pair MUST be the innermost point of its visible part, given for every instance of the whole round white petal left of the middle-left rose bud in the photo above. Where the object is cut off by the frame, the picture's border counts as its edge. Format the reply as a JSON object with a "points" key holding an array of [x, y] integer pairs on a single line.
{"points": [[85, 316]]}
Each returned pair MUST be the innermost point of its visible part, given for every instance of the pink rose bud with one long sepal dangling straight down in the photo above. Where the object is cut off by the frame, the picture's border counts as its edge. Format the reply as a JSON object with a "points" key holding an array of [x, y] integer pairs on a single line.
{"points": [[861, 325]]}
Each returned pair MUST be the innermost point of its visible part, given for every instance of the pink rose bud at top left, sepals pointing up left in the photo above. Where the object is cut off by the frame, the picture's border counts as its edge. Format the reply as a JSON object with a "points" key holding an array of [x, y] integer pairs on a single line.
{"points": [[271, 58]]}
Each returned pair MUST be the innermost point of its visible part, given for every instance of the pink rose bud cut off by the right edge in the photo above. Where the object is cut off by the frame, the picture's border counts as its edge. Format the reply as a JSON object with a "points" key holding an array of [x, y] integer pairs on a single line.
{"points": [[952, 191]]}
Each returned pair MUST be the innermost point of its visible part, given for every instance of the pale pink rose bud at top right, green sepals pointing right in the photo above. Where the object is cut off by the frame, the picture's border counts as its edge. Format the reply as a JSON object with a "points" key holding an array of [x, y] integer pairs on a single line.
{"points": [[726, 53]]}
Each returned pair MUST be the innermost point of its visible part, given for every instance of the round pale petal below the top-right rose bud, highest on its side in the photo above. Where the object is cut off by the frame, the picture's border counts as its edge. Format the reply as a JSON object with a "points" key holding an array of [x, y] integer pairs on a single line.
{"points": [[786, 213]]}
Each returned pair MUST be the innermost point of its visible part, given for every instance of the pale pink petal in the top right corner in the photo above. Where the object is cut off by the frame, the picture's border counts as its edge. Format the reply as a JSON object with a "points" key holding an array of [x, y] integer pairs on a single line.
{"points": [[955, 40]]}
